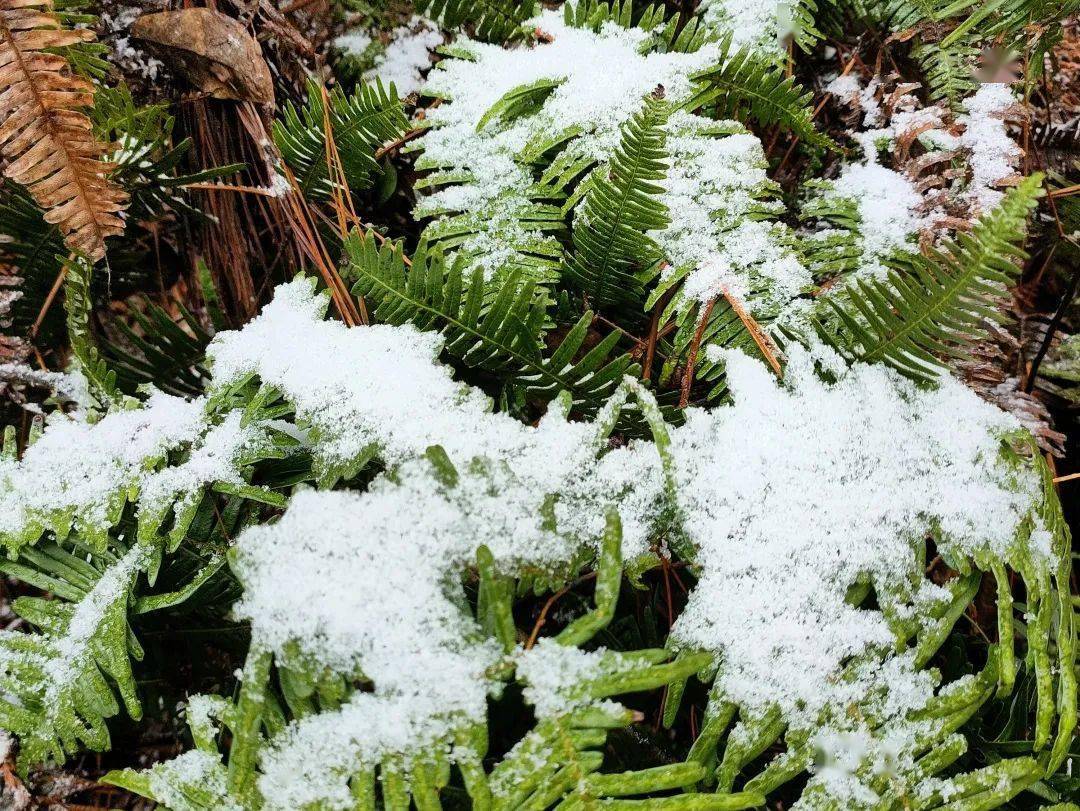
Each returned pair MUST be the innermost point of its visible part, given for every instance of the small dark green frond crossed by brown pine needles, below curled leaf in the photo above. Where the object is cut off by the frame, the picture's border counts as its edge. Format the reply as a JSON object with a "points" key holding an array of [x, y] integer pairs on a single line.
{"points": [[361, 121]]}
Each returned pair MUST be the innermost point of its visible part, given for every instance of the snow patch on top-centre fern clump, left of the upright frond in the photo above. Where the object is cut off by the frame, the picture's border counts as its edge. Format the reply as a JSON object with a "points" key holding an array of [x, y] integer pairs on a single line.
{"points": [[596, 109]]}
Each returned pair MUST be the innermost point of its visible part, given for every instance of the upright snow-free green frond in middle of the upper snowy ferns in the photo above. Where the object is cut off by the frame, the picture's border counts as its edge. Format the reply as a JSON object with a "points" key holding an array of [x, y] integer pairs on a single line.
{"points": [[613, 259]]}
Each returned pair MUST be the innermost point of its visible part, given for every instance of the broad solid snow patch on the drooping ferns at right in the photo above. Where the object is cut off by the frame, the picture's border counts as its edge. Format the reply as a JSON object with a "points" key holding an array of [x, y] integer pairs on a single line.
{"points": [[863, 469]]}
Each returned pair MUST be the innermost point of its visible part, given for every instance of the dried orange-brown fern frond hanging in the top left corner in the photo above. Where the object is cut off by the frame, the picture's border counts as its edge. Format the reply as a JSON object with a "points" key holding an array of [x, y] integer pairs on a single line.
{"points": [[46, 140]]}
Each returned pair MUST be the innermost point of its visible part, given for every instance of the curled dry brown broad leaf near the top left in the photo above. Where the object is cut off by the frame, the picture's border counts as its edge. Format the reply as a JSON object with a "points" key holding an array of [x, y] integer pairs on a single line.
{"points": [[213, 51]]}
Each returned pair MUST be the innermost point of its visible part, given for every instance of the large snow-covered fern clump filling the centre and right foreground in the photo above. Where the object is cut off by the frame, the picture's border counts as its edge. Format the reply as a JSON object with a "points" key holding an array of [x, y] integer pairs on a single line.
{"points": [[466, 492]]}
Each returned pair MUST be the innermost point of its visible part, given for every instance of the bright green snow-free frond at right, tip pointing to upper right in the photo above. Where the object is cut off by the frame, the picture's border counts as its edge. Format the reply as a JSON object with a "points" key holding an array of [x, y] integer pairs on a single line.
{"points": [[934, 305]]}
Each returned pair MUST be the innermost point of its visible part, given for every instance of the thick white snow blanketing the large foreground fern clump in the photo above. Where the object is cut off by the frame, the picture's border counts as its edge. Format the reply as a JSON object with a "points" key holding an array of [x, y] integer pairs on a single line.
{"points": [[789, 497]]}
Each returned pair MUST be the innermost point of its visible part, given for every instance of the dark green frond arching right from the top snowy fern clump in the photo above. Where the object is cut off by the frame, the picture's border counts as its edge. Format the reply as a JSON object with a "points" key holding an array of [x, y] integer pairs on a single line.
{"points": [[744, 85]]}
